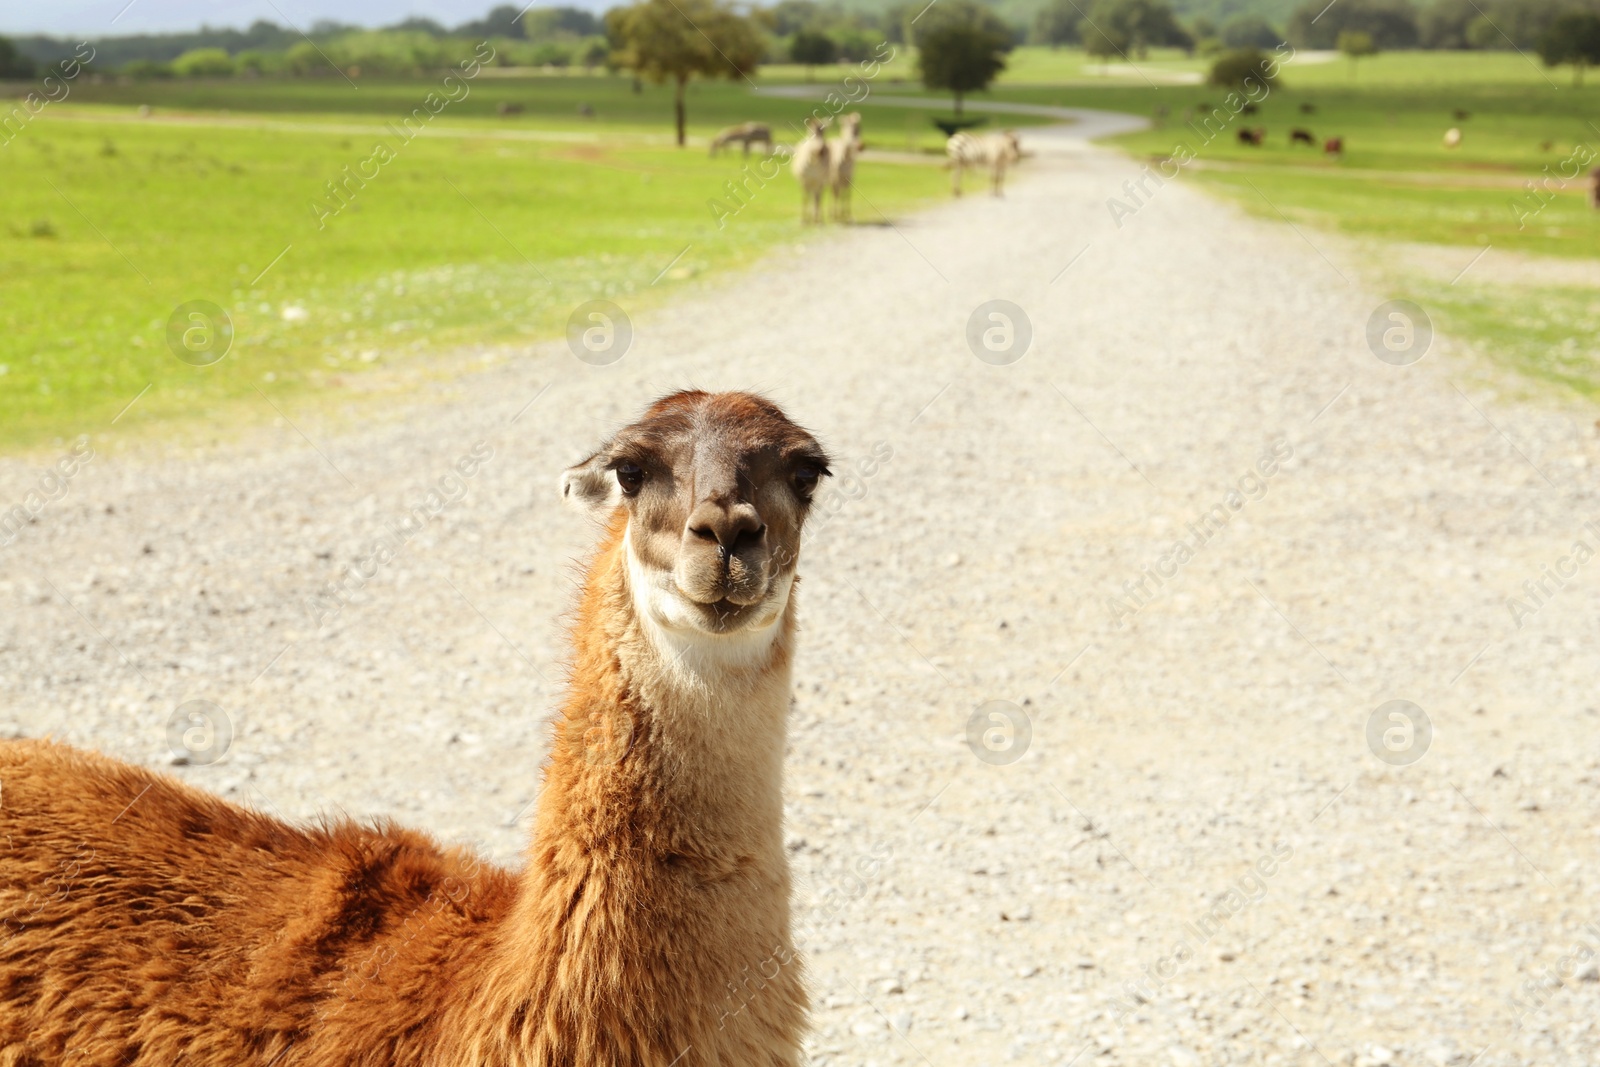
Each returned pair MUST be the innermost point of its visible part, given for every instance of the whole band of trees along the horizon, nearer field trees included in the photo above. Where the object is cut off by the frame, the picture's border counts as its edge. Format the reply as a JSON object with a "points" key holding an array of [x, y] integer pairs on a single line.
{"points": [[959, 46]]}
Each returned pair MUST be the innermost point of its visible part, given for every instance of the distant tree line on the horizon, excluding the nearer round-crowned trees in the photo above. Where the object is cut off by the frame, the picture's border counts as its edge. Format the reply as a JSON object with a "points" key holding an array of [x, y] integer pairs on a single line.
{"points": [[812, 33]]}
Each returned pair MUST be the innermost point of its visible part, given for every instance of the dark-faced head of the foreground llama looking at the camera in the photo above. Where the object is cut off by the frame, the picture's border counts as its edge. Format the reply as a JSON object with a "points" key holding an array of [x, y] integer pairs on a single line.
{"points": [[714, 490]]}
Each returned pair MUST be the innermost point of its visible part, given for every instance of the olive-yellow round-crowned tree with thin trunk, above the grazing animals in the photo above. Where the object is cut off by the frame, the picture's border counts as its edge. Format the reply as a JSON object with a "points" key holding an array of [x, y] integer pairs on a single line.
{"points": [[674, 41]]}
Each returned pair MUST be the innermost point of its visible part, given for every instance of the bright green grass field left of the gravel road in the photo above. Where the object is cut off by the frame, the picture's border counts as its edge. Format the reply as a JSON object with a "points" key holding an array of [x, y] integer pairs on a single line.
{"points": [[481, 231]]}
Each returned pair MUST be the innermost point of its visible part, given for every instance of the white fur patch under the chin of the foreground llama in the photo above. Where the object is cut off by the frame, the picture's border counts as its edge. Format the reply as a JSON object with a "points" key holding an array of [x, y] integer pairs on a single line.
{"points": [[668, 618]]}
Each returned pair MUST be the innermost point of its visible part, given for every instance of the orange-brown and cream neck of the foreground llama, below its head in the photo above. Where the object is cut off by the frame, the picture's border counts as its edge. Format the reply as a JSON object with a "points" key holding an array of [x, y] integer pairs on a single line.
{"points": [[657, 874]]}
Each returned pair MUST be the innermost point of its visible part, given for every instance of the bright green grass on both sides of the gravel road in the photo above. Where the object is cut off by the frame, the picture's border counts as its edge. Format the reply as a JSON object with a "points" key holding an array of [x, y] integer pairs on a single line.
{"points": [[516, 207]]}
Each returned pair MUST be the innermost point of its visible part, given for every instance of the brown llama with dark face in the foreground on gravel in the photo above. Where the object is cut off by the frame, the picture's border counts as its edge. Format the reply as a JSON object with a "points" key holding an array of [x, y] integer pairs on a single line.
{"points": [[146, 924]]}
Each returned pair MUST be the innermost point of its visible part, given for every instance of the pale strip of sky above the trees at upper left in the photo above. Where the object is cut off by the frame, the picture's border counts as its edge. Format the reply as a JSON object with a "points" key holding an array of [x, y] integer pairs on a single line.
{"points": [[116, 18]]}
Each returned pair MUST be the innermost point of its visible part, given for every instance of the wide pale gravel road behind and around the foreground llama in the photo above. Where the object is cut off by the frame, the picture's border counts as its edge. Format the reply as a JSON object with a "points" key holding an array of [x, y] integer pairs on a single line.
{"points": [[1039, 812]]}
